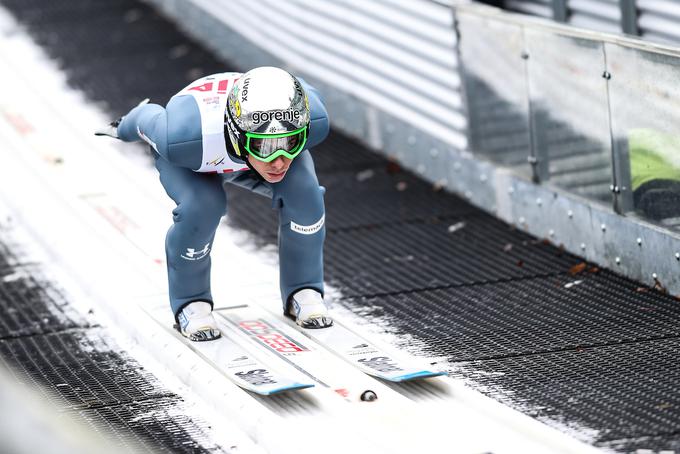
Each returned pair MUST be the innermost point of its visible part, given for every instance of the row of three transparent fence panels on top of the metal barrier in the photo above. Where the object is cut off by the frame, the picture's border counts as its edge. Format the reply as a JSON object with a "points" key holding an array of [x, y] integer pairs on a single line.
{"points": [[587, 112]]}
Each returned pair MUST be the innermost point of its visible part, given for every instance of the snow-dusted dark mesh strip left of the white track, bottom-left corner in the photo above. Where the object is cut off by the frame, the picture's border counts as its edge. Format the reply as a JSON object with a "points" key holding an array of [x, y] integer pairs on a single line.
{"points": [[50, 348]]}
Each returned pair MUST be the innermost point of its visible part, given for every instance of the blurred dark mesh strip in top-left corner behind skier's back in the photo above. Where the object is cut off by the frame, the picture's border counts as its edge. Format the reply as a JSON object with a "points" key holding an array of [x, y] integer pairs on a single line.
{"points": [[118, 52]]}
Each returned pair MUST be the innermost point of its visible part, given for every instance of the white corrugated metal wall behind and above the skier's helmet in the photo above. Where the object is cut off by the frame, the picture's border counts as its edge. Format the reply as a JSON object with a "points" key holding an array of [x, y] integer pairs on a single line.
{"points": [[392, 54]]}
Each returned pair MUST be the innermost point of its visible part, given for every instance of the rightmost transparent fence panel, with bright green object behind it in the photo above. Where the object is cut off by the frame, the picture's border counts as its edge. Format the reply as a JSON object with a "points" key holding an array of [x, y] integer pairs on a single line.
{"points": [[645, 107]]}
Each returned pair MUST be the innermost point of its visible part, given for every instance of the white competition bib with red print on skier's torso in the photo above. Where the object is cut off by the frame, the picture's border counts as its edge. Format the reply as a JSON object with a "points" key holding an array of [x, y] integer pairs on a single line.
{"points": [[211, 93]]}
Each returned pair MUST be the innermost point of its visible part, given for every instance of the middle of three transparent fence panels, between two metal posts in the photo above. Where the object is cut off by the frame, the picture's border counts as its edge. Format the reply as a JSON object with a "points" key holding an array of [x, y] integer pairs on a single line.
{"points": [[569, 113]]}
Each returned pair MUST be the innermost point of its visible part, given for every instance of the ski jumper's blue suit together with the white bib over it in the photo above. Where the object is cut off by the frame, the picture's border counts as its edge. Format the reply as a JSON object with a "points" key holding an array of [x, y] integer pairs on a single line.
{"points": [[190, 155]]}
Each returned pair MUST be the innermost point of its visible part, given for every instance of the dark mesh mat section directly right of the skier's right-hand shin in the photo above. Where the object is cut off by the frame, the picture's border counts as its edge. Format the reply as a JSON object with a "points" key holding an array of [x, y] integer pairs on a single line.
{"points": [[409, 257]]}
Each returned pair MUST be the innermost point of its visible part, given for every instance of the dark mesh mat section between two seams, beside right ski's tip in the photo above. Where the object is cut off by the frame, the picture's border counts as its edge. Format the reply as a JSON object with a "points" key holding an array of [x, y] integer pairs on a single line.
{"points": [[524, 317]]}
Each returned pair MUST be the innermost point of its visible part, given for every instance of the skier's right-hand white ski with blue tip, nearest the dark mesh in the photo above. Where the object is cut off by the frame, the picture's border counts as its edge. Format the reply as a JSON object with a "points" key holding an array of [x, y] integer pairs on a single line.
{"points": [[369, 358]]}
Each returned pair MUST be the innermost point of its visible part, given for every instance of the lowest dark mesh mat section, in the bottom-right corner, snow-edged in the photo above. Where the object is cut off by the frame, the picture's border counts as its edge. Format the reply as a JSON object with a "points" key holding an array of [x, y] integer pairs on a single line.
{"points": [[623, 390]]}
